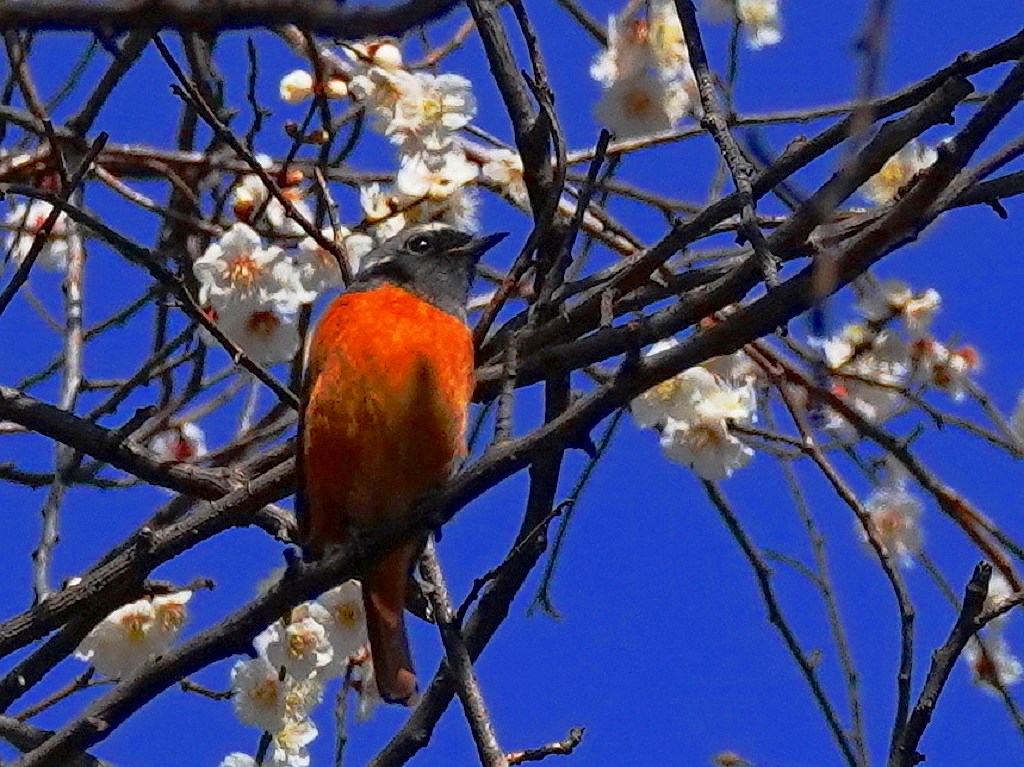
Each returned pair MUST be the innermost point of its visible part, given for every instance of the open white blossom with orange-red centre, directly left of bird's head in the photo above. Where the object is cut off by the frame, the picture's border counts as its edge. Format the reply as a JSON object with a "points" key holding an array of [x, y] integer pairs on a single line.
{"points": [[238, 269]]}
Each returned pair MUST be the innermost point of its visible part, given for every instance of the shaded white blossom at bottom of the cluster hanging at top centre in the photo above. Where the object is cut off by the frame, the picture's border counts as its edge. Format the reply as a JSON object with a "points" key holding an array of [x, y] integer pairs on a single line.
{"points": [[642, 105]]}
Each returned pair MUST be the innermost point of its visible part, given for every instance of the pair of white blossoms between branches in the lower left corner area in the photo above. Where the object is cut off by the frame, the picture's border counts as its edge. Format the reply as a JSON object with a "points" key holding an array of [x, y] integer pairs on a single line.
{"points": [[135, 633]]}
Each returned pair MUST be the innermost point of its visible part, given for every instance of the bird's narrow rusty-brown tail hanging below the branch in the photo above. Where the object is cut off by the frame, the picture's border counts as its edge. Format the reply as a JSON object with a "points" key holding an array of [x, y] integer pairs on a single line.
{"points": [[385, 599]]}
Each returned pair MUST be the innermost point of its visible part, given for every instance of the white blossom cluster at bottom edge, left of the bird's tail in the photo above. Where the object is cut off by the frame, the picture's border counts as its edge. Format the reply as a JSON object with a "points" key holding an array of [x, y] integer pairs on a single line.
{"points": [[277, 691]]}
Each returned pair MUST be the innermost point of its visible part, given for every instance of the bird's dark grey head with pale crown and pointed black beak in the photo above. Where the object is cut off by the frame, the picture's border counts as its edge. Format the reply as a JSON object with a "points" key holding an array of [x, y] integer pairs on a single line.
{"points": [[436, 262]]}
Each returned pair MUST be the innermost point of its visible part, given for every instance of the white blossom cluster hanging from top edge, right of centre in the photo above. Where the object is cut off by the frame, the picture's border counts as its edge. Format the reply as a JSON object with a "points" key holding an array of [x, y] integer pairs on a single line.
{"points": [[649, 83]]}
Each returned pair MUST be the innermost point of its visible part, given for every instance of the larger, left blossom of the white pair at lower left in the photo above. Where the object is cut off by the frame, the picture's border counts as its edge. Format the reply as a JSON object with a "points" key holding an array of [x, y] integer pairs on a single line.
{"points": [[125, 640]]}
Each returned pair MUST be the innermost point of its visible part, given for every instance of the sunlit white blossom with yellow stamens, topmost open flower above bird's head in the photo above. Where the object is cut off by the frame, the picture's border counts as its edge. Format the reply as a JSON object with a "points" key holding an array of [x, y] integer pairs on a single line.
{"points": [[431, 116]]}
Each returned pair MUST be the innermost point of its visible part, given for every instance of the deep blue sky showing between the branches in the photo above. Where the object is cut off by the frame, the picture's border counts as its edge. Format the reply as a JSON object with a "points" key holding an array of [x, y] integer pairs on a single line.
{"points": [[664, 655]]}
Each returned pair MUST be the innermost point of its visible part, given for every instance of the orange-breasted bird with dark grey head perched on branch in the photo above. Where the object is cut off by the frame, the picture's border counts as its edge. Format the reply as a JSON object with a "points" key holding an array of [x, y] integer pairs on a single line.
{"points": [[387, 392]]}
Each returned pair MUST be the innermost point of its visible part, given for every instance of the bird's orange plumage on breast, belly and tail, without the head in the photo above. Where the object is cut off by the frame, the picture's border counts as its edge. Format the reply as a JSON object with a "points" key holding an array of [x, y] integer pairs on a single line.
{"points": [[390, 380]]}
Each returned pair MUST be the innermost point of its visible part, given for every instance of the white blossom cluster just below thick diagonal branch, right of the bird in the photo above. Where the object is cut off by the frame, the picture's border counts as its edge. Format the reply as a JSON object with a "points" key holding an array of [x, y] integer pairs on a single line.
{"points": [[694, 412]]}
